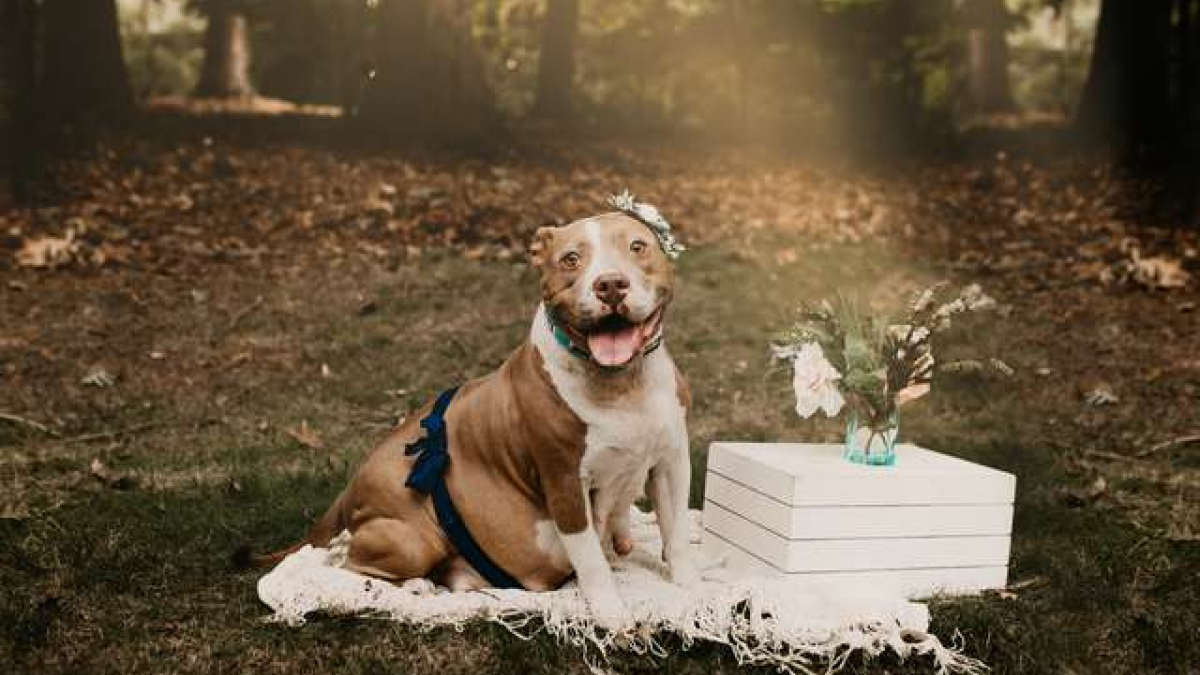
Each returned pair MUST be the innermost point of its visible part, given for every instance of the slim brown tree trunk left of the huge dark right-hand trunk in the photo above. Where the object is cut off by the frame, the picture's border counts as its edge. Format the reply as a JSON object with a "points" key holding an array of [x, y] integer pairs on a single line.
{"points": [[988, 57]]}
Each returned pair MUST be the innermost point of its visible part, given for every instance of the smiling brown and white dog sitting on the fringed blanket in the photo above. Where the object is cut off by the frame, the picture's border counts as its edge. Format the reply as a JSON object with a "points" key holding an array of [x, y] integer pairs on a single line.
{"points": [[549, 453]]}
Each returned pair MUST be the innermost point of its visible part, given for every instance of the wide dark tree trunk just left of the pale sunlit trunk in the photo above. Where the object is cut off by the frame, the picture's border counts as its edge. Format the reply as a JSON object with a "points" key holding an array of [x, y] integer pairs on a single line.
{"points": [[83, 71]]}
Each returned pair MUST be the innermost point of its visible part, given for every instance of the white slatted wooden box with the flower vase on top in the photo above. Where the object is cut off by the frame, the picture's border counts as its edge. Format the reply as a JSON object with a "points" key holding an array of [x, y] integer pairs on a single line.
{"points": [[932, 524]]}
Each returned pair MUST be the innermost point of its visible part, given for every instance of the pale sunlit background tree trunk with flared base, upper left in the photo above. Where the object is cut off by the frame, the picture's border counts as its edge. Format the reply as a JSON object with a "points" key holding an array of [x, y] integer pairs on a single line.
{"points": [[226, 70]]}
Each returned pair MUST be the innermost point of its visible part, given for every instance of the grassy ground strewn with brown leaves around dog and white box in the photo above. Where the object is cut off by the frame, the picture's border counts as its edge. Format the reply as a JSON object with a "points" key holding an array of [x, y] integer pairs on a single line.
{"points": [[199, 341]]}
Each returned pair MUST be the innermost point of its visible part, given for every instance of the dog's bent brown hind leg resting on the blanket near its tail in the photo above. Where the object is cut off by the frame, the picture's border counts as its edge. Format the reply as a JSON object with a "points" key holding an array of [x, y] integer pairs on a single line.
{"points": [[394, 549]]}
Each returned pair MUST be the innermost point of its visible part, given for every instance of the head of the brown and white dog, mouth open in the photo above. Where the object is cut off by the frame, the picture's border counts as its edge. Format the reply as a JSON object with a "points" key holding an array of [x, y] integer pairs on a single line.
{"points": [[607, 282]]}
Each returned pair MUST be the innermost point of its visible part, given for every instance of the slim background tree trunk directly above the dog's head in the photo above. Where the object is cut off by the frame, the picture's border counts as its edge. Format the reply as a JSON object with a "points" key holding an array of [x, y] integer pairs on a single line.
{"points": [[556, 62]]}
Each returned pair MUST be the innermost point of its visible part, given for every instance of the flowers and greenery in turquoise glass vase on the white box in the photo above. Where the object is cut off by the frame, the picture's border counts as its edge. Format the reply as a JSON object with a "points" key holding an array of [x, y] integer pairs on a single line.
{"points": [[874, 365]]}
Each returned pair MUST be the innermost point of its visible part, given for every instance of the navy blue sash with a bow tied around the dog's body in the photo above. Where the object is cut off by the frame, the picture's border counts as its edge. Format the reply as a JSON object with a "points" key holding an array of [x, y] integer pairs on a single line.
{"points": [[429, 479]]}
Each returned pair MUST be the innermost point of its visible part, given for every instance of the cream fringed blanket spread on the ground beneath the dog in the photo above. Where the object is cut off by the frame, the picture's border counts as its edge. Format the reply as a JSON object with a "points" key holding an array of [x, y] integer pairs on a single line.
{"points": [[763, 620]]}
